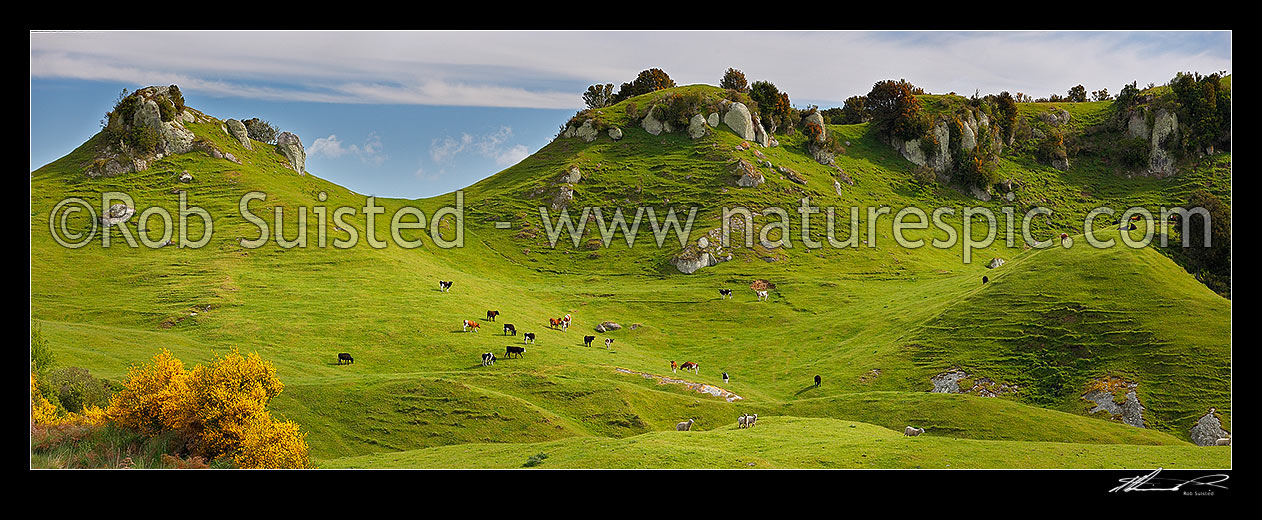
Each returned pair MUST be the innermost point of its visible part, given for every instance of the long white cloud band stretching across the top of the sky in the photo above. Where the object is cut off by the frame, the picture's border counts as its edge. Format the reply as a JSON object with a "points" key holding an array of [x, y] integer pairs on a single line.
{"points": [[527, 70]]}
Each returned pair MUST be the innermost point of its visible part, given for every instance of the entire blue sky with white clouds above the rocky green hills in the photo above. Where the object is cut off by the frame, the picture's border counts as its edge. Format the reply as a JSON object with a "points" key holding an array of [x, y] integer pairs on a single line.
{"points": [[418, 114]]}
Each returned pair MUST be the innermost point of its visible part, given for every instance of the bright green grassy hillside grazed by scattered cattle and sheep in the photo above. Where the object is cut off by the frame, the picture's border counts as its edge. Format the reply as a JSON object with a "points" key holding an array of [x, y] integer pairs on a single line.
{"points": [[876, 324]]}
